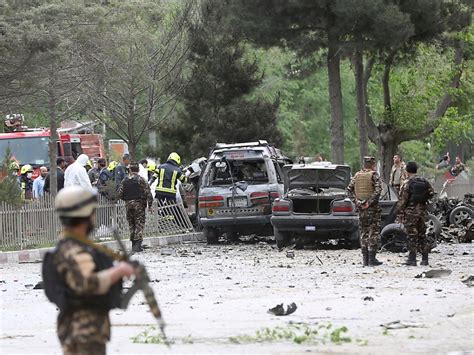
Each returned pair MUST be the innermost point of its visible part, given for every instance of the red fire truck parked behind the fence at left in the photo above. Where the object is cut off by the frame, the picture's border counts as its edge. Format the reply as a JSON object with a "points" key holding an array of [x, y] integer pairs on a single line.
{"points": [[31, 145]]}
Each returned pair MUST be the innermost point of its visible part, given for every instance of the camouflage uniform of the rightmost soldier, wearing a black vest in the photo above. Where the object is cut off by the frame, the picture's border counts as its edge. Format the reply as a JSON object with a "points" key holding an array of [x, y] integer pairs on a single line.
{"points": [[414, 215]]}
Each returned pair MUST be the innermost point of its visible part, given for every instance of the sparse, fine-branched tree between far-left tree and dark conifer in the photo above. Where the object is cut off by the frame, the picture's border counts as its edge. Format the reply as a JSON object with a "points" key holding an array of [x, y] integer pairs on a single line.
{"points": [[139, 61]]}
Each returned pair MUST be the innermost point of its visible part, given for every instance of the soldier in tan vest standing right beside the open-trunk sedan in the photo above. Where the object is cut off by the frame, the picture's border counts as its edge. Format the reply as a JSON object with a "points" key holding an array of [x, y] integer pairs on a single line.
{"points": [[364, 191]]}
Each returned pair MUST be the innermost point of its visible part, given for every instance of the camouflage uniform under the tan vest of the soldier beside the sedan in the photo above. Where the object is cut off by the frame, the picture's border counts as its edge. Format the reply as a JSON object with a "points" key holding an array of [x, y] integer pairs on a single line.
{"points": [[369, 218]]}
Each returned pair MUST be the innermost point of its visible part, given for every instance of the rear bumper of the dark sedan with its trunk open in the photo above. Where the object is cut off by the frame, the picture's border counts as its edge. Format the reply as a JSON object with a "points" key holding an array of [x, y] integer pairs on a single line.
{"points": [[308, 224]]}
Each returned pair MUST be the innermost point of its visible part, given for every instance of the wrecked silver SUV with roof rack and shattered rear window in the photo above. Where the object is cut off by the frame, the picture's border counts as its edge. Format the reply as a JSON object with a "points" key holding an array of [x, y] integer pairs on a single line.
{"points": [[237, 189]]}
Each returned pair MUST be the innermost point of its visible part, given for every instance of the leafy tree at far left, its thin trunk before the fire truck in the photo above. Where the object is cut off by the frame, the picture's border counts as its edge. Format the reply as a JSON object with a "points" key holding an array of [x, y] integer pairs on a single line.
{"points": [[44, 38]]}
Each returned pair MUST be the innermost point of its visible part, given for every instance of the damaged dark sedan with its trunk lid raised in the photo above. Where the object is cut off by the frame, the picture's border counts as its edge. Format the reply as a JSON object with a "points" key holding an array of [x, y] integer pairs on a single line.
{"points": [[315, 204]]}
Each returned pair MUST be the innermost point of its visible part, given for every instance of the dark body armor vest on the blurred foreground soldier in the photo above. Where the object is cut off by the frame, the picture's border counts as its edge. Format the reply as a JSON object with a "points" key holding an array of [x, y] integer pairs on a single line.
{"points": [[66, 299]]}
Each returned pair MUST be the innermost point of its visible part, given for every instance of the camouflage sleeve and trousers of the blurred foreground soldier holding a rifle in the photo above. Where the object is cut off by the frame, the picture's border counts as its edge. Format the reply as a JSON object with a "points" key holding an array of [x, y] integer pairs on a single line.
{"points": [[82, 330]]}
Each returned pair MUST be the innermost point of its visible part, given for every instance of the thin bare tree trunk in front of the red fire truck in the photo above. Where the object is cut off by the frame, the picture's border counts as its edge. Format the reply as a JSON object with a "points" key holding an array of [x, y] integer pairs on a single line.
{"points": [[53, 139]]}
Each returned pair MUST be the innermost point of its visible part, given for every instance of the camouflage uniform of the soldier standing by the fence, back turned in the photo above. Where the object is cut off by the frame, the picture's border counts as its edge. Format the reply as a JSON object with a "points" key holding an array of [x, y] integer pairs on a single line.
{"points": [[136, 208]]}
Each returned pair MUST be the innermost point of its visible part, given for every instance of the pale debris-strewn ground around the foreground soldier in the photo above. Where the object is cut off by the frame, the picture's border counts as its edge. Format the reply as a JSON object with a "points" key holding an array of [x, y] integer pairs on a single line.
{"points": [[215, 299]]}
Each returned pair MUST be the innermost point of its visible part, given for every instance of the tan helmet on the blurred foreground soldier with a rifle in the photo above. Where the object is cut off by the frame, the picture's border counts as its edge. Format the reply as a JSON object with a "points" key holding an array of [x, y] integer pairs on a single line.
{"points": [[75, 202]]}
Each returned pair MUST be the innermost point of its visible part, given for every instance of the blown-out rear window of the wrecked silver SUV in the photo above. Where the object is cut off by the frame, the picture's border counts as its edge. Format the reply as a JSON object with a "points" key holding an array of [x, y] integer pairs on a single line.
{"points": [[224, 172]]}
